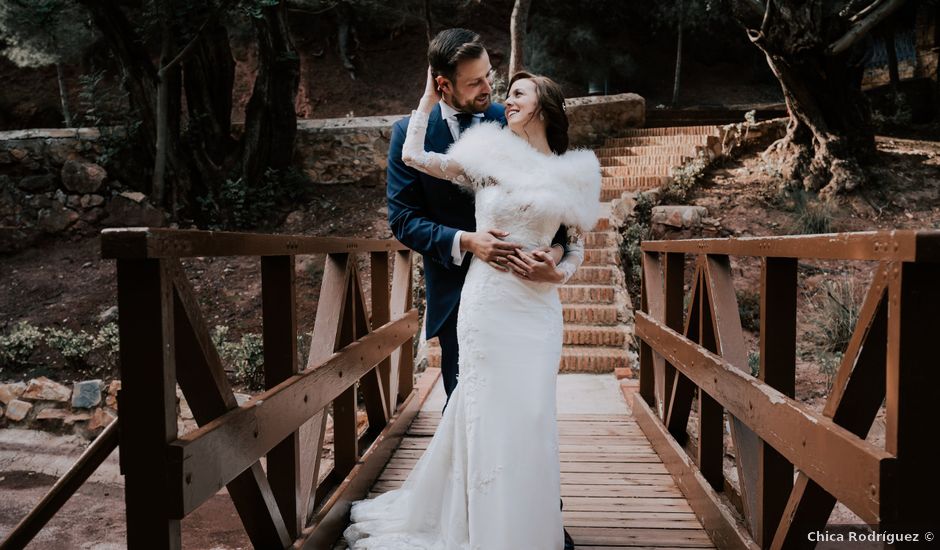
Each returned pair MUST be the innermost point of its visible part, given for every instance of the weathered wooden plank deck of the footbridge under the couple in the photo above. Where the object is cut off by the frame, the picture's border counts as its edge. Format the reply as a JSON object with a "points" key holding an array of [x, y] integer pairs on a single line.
{"points": [[616, 491]]}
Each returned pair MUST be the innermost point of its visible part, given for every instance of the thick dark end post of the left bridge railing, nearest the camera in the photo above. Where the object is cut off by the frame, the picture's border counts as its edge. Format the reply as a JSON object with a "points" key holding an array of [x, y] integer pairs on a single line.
{"points": [[147, 401]]}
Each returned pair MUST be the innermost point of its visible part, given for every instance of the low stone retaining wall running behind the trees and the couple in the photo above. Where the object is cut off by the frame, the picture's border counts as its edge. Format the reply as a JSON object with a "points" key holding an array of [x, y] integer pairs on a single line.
{"points": [[51, 183]]}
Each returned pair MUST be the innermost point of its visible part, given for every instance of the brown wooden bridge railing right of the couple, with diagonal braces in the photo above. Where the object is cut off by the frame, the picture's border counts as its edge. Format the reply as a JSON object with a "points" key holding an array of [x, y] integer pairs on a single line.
{"points": [[892, 358]]}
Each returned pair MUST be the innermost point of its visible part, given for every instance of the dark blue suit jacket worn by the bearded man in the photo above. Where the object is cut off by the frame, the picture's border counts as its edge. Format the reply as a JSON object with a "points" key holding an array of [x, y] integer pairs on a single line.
{"points": [[425, 213]]}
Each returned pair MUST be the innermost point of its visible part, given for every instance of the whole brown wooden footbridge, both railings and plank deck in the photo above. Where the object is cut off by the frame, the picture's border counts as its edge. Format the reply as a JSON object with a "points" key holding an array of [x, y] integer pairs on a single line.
{"points": [[629, 480]]}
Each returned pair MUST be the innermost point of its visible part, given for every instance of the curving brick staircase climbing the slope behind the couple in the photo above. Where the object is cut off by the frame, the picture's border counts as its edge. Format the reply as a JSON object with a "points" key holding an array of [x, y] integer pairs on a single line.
{"points": [[595, 304]]}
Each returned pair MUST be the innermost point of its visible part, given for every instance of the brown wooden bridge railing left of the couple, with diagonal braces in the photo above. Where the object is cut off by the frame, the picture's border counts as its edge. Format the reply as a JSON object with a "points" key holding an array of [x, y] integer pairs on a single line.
{"points": [[164, 341]]}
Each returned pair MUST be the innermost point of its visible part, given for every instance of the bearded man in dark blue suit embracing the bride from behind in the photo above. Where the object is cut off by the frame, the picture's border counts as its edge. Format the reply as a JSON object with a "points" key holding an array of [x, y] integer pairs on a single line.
{"points": [[436, 218]]}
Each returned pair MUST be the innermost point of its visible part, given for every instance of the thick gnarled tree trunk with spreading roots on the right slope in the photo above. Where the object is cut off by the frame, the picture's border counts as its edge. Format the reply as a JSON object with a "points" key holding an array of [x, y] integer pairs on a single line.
{"points": [[829, 132]]}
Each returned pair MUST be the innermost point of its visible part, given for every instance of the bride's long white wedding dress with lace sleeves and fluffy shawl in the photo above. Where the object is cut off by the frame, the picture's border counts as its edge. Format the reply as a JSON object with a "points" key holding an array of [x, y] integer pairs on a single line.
{"points": [[489, 479]]}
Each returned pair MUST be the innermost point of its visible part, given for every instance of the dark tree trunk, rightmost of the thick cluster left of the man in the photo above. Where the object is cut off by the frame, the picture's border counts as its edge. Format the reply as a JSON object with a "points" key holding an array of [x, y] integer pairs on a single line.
{"points": [[270, 119]]}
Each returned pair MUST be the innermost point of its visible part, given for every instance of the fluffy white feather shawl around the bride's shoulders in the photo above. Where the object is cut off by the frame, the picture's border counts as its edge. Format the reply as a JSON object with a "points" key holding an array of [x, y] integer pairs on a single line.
{"points": [[569, 184]]}
